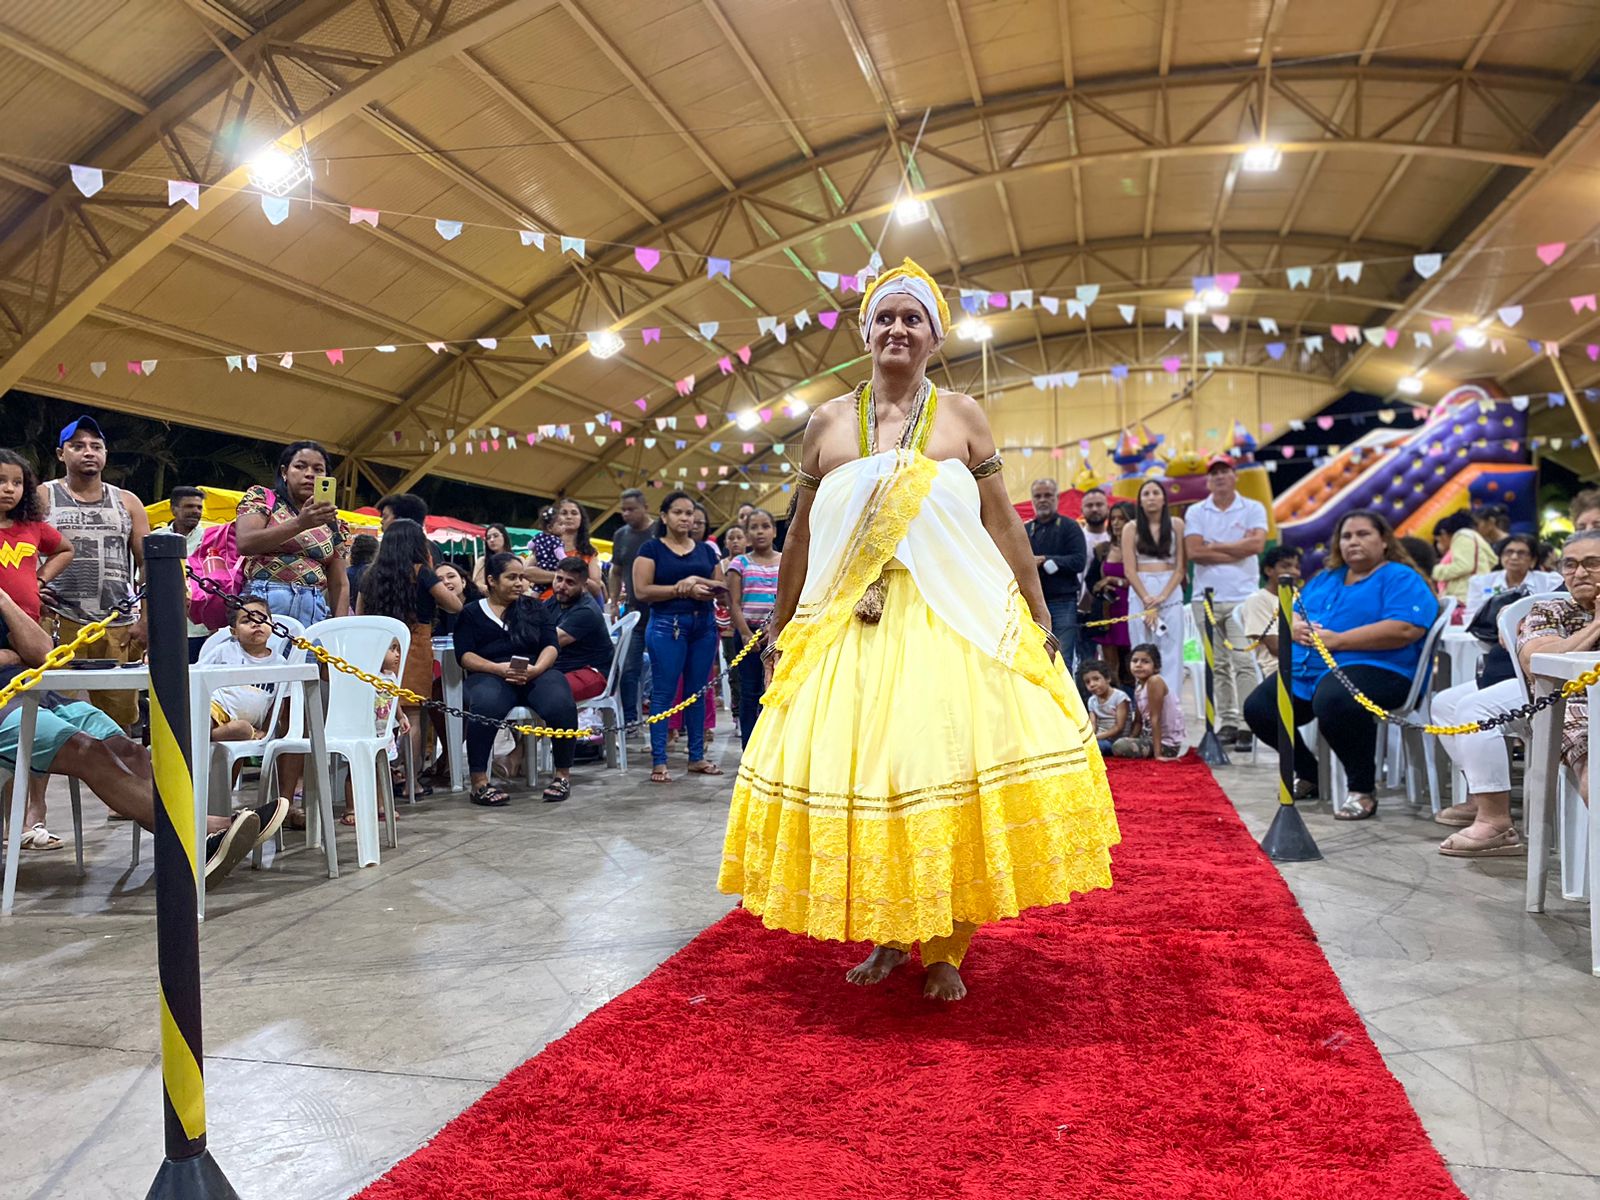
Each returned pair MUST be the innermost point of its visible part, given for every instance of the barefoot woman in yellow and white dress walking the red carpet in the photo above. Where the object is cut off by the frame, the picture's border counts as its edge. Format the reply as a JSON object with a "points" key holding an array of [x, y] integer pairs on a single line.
{"points": [[921, 766]]}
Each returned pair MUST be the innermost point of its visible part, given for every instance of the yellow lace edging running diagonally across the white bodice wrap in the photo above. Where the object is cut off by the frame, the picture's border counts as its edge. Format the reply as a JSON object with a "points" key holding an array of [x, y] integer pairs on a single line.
{"points": [[889, 513]]}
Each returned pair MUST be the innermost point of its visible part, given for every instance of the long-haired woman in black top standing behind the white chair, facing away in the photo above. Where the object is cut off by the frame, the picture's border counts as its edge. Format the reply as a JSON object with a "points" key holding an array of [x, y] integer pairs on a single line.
{"points": [[402, 585]]}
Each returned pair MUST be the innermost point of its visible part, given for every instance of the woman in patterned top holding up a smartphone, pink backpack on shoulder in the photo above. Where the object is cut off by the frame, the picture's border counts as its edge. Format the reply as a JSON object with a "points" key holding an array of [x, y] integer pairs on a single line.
{"points": [[294, 546]]}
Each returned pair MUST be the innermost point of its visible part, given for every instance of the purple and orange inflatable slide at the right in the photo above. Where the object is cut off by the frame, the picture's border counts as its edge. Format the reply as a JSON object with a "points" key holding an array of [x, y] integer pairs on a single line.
{"points": [[1471, 450]]}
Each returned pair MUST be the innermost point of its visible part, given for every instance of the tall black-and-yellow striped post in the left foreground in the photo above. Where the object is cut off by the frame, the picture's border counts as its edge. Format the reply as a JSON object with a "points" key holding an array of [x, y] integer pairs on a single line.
{"points": [[190, 1170]]}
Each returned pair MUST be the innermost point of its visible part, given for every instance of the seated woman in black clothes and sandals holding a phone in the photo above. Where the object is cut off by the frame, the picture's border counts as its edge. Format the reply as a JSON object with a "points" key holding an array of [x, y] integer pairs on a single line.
{"points": [[506, 646]]}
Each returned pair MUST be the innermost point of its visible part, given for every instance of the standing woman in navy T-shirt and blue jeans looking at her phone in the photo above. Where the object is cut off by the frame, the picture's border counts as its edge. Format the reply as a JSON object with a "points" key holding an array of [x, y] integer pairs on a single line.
{"points": [[679, 577]]}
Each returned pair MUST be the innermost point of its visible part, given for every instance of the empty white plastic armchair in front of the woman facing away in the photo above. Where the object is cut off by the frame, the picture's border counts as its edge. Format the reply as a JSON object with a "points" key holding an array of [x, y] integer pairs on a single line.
{"points": [[364, 642]]}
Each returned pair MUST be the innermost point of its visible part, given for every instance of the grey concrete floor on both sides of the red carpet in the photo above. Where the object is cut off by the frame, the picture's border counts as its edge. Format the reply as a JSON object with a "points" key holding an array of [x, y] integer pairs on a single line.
{"points": [[348, 1020]]}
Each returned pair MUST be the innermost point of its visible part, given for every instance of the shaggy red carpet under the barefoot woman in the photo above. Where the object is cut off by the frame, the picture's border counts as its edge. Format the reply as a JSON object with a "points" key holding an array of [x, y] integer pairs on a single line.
{"points": [[1182, 1036]]}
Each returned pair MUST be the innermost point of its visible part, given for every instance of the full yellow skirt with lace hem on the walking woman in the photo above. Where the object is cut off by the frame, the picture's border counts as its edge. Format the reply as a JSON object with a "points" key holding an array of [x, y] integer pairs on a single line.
{"points": [[913, 783]]}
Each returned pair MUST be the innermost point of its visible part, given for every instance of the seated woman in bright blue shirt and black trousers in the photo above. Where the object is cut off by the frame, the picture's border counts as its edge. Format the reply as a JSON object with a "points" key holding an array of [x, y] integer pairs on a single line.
{"points": [[1372, 609]]}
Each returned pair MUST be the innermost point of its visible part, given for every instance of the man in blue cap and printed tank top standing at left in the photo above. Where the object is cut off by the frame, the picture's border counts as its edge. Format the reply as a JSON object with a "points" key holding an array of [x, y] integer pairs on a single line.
{"points": [[106, 527]]}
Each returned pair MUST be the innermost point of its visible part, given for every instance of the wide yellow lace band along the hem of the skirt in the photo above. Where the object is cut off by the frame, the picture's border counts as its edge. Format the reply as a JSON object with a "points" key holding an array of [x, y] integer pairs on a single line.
{"points": [[1006, 850]]}
